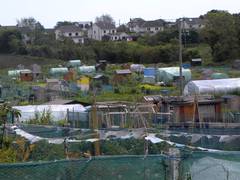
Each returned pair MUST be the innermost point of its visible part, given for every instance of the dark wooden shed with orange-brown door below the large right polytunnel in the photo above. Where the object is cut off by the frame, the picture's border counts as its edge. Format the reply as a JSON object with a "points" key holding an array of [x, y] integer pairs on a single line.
{"points": [[186, 110]]}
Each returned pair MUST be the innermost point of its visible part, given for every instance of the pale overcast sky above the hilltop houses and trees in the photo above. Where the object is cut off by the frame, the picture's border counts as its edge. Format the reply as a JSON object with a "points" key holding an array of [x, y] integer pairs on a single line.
{"points": [[48, 12]]}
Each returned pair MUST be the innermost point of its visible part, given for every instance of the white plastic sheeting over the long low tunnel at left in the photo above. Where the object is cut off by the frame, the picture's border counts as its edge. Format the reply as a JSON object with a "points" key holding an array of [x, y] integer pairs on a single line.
{"points": [[58, 112]]}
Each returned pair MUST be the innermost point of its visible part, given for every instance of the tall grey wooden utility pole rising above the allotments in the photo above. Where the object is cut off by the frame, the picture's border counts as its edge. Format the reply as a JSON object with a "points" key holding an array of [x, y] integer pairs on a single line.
{"points": [[180, 57]]}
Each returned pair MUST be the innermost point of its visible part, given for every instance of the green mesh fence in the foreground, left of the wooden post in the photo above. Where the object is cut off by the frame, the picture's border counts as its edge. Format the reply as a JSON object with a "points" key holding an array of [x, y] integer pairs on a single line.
{"points": [[124, 167]]}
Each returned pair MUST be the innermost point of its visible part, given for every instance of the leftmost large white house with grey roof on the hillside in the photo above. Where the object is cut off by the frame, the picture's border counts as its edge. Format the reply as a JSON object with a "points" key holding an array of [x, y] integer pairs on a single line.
{"points": [[76, 33]]}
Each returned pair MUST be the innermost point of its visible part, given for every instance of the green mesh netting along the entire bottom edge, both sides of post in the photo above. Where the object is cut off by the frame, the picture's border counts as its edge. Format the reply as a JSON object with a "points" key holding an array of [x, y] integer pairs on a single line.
{"points": [[196, 166]]}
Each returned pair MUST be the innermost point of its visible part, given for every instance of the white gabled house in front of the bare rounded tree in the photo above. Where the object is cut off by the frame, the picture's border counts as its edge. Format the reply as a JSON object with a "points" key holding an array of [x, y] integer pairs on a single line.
{"points": [[101, 31]]}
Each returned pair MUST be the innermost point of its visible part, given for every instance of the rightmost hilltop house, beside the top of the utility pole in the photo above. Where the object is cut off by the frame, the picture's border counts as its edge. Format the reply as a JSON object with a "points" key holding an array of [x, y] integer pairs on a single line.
{"points": [[191, 23]]}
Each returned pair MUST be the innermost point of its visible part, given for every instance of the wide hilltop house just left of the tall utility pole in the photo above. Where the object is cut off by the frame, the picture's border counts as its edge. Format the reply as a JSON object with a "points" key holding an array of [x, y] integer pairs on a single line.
{"points": [[139, 25]]}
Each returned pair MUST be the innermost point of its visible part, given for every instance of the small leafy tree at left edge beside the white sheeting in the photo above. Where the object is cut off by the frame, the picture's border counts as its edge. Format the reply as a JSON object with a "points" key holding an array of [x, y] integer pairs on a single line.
{"points": [[5, 110]]}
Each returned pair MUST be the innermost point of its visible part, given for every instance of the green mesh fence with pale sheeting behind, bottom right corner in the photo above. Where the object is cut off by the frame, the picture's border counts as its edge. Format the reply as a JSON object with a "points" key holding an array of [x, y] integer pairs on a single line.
{"points": [[210, 166]]}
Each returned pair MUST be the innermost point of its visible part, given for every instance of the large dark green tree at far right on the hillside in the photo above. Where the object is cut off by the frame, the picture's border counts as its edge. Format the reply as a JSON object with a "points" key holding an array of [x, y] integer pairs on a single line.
{"points": [[220, 33]]}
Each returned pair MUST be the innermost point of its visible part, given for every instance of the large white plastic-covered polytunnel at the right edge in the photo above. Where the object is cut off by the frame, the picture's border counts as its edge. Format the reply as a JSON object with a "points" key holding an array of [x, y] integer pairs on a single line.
{"points": [[214, 87]]}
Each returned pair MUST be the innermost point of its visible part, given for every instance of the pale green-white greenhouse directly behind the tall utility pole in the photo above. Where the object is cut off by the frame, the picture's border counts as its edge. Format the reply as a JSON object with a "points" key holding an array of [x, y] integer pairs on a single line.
{"points": [[170, 74]]}
